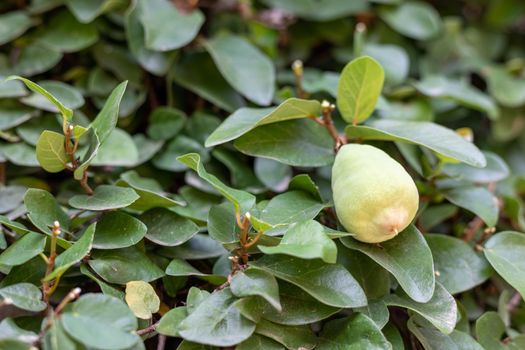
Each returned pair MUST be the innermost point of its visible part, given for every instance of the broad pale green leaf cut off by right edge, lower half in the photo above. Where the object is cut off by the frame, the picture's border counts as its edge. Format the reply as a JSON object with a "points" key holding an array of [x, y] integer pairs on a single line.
{"points": [[504, 251]]}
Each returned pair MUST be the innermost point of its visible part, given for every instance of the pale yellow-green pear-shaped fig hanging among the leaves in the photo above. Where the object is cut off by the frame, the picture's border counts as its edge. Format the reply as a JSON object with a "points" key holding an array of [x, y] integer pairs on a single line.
{"points": [[375, 198]]}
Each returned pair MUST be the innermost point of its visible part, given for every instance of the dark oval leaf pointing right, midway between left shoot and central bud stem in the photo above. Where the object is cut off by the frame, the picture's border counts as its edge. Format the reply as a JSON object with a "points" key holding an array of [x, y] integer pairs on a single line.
{"points": [[166, 228]]}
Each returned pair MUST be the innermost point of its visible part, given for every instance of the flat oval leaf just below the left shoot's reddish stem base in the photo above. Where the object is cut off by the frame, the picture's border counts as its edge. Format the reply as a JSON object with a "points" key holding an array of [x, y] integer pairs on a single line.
{"points": [[105, 197]]}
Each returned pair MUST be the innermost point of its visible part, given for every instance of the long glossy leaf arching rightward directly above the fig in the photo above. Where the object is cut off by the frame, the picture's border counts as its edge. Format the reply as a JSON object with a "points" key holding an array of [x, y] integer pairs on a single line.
{"points": [[433, 136]]}
